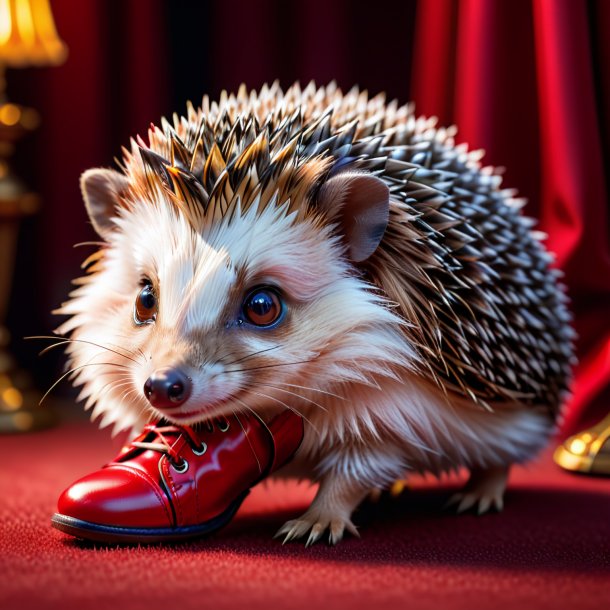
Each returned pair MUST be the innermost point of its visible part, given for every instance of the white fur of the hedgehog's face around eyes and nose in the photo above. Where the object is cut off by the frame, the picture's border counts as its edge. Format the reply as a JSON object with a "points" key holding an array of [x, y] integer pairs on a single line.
{"points": [[336, 330]]}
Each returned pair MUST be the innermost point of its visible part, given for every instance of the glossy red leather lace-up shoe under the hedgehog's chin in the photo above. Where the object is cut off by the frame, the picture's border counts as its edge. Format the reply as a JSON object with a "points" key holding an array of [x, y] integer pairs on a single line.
{"points": [[177, 482]]}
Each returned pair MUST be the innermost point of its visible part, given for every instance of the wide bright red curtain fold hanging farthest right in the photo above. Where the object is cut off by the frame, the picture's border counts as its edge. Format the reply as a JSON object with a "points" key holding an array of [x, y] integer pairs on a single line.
{"points": [[574, 209]]}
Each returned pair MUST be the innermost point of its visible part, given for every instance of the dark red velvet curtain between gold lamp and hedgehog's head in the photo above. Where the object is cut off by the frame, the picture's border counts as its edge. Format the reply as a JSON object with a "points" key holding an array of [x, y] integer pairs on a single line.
{"points": [[113, 84]]}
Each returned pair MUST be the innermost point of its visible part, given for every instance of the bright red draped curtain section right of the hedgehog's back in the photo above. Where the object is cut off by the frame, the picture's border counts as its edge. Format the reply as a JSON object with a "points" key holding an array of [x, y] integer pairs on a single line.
{"points": [[519, 80]]}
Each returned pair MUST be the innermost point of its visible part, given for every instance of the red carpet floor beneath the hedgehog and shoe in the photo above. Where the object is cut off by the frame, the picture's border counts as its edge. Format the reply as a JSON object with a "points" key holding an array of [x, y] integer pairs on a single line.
{"points": [[549, 549]]}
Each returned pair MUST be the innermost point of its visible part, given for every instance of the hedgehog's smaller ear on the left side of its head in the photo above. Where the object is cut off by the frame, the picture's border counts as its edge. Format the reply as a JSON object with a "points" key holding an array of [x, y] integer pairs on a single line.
{"points": [[102, 191]]}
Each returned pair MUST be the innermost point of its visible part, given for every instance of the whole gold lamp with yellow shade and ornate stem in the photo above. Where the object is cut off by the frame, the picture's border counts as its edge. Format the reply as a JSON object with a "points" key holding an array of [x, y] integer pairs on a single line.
{"points": [[27, 38]]}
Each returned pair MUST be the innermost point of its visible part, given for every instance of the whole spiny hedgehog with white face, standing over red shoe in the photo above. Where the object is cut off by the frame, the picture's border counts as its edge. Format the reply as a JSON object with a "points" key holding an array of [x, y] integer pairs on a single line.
{"points": [[417, 323]]}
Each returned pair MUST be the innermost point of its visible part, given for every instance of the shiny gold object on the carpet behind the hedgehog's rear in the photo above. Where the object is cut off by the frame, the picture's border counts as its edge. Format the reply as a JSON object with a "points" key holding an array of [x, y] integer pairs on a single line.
{"points": [[587, 452]]}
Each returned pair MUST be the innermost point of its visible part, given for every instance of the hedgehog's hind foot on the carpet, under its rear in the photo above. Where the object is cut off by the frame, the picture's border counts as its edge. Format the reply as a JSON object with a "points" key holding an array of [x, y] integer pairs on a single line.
{"points": [[483, 491]]}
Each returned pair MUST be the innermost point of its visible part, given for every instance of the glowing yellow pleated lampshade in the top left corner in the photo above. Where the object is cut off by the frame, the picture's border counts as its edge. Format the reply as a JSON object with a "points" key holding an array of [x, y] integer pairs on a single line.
{"points": [[27, 34]]}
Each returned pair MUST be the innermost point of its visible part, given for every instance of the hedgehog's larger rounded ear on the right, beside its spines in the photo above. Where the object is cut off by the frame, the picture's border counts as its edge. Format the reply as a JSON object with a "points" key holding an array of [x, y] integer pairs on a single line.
{"points": [[360, 204]]}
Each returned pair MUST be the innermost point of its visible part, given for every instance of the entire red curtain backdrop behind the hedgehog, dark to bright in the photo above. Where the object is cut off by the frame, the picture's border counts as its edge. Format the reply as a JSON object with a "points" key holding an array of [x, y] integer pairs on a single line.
{"points": [[529, 81]]}
